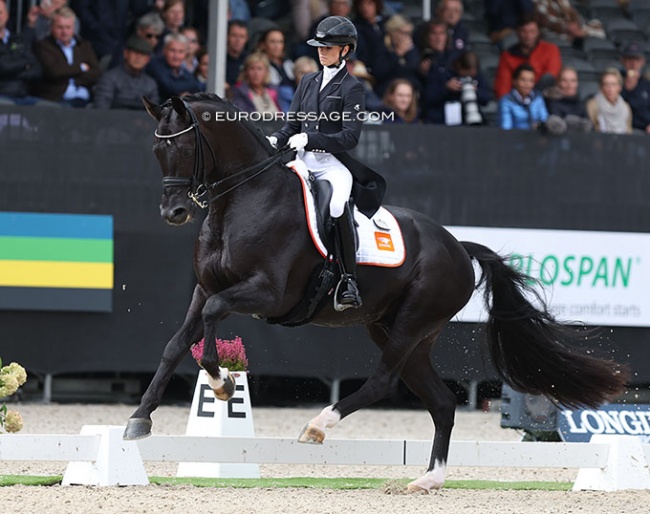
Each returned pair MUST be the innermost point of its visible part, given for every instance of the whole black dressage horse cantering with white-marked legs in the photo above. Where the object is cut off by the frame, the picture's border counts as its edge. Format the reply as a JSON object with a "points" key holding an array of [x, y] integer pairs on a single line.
{"points": [[254, 256]]}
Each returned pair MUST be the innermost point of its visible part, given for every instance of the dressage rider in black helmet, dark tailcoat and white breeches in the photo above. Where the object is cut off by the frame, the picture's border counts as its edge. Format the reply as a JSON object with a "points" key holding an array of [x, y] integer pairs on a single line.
{"points": [[323, 124]]}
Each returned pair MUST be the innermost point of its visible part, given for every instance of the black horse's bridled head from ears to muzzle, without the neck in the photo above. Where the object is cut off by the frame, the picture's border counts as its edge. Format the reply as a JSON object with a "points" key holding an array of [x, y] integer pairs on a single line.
{"points": [[179, 150]]}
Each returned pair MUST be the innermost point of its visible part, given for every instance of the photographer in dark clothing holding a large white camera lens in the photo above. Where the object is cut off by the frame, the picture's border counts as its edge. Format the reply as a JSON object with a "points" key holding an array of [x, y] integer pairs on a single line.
{"points": [[452, 96]]}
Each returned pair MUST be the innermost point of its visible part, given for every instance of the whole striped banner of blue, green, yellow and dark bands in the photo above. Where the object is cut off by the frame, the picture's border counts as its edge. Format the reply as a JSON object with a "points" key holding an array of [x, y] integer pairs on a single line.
{"points": [[56, 262]]}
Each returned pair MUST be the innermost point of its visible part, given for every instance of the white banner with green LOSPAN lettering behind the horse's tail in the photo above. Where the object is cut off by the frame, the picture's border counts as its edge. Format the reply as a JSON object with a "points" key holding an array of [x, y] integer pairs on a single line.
{"points": [[596, 278]]}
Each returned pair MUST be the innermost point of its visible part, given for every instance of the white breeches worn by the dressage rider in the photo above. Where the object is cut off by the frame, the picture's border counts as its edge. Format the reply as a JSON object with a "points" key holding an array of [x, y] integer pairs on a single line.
{"points": [[324, 166]]}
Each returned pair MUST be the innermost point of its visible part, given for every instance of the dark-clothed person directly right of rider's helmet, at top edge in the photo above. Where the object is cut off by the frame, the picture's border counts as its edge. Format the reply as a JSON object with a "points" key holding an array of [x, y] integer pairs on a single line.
{"points": [[369, 23]]}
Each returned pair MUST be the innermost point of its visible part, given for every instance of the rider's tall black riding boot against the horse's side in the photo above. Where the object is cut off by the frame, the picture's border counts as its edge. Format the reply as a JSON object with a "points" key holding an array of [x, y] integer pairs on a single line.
{"points": [[347, 293]]}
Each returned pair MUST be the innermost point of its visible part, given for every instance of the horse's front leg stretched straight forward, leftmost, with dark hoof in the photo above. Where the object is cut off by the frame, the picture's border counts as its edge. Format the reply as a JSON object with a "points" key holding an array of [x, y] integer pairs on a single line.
{"points": [[139, 424]]}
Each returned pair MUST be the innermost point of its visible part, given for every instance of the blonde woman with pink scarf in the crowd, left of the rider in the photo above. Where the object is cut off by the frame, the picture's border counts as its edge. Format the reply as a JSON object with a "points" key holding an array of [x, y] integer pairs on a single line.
{"points": [[253, 92]]}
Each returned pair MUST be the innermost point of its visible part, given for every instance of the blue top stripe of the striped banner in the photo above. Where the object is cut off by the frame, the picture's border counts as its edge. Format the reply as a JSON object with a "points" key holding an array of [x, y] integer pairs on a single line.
{"points": [[28, 224]]}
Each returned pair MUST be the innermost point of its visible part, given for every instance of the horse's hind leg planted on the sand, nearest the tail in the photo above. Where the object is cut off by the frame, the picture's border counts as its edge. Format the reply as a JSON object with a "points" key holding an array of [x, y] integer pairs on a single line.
{"points": [[420, 376]]}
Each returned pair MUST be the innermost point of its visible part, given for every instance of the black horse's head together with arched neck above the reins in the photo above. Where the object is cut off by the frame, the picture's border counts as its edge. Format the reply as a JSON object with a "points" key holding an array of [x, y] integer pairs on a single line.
{"points": [[196, 159]]}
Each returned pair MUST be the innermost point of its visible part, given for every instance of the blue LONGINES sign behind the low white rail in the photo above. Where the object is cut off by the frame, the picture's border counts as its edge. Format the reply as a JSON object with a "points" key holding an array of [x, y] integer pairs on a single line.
{"points": [[615, 419]]}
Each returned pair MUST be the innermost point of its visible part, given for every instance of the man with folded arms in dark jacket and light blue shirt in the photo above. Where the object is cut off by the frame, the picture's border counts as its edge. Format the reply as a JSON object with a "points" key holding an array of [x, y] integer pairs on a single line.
{"points": [[70, 67]]}
